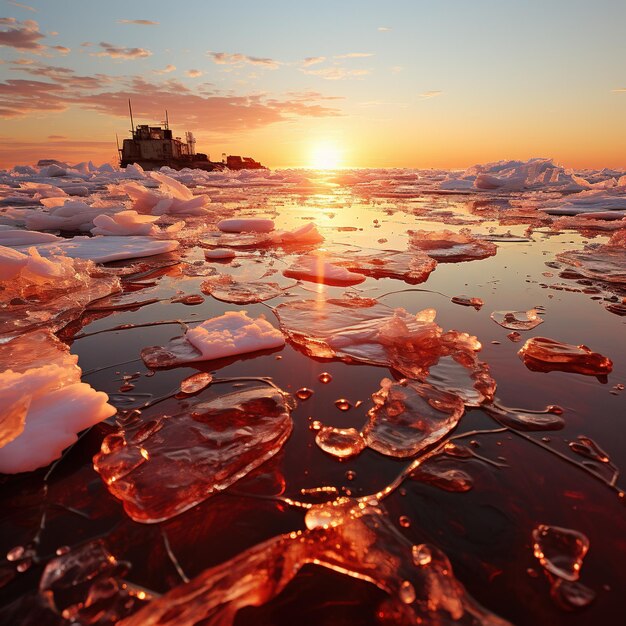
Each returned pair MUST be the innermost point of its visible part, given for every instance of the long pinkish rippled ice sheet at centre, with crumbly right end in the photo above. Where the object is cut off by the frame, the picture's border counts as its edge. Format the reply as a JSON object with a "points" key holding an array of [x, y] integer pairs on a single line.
{"points": [[364, 330]]}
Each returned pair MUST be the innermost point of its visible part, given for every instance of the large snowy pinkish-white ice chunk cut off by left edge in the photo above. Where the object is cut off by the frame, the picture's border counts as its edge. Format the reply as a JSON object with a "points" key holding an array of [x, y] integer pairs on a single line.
{"points": [[44, 385]]}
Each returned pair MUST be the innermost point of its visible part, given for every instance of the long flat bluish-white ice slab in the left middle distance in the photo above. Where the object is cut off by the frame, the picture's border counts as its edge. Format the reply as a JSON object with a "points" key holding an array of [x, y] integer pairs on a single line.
{"points": [[112, 248]]}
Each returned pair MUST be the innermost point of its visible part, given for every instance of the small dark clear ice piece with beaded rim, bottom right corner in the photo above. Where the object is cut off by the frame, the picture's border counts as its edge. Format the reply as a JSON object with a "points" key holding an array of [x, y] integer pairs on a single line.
{"points": [[560, 550]]}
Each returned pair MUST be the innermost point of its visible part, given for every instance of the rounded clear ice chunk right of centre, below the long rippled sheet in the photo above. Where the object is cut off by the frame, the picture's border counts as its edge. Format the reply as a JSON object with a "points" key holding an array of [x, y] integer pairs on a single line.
{"points": [[408, 417]]}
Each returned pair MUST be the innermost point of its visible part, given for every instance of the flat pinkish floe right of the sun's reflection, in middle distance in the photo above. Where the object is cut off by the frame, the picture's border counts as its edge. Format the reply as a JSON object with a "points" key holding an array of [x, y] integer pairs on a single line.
{"points": [[449, 247]]}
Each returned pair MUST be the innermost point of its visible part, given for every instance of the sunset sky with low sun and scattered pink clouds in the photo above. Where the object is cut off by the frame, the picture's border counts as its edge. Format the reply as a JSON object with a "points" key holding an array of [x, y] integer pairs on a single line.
{"points": [[354, 83]]}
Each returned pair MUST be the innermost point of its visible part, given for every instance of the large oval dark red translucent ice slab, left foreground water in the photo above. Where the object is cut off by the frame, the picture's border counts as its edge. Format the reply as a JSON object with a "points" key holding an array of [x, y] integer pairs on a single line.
{"points": [[161, 467]]}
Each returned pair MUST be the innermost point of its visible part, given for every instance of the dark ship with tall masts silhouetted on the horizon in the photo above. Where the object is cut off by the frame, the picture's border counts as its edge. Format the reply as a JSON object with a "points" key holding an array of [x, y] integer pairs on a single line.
{"points": [[154, 147]]}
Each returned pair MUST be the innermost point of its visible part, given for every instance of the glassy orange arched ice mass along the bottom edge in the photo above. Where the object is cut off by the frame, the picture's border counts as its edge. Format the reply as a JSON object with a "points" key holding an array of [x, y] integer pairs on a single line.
{"points": [[356, 540]]}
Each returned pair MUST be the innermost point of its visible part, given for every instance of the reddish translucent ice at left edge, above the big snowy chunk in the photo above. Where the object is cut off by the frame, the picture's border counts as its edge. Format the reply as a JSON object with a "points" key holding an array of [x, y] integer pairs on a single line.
{"points": [[50, 292]]}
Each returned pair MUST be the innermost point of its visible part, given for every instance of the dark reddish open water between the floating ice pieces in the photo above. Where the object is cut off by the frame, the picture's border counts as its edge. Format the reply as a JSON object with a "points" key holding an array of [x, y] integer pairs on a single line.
{"points": [[480, 508]]}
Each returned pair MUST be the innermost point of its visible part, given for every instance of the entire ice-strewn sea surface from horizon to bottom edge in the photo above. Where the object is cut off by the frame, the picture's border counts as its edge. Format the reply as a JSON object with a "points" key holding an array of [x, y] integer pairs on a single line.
{"points": [[250, 466]]}
